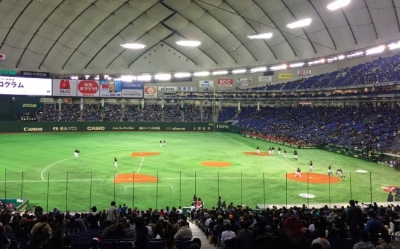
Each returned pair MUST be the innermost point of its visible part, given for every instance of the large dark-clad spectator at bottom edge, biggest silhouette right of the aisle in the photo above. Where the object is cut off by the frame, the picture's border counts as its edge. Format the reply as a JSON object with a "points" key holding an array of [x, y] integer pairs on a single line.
{"points": [[291, 237]]}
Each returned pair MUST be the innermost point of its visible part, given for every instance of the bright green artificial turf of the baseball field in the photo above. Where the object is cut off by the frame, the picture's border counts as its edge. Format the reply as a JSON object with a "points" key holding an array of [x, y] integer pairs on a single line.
{"points": [[42, 167]]}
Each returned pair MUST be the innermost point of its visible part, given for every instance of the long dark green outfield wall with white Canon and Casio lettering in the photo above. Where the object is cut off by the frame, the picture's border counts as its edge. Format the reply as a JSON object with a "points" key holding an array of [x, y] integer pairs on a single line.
{"points": [[115, 126]]}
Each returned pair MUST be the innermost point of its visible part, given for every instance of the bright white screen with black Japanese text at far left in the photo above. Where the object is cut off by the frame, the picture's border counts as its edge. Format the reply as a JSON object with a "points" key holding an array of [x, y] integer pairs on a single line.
{"points": [[10, 85]]}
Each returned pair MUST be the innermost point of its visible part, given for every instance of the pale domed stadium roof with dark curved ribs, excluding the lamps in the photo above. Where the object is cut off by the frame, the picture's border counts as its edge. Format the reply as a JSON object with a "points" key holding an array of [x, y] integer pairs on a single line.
{"points": [[85, 36]]}
